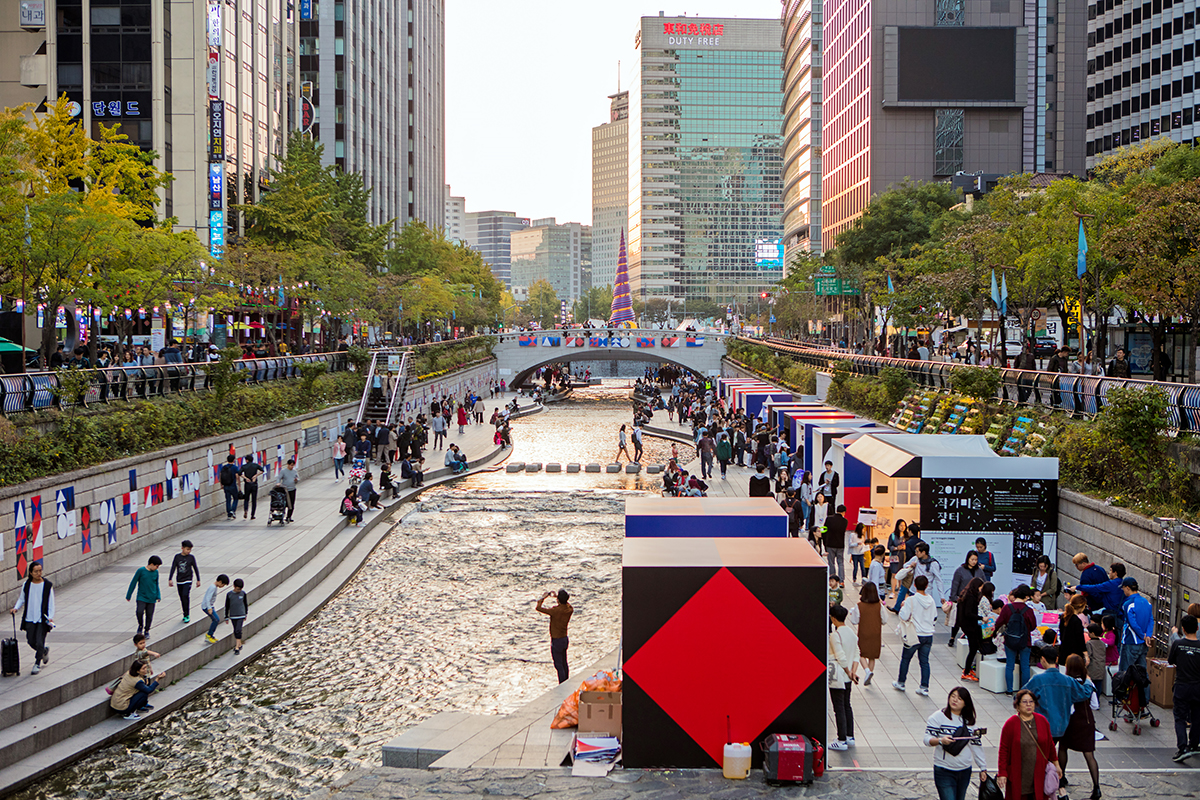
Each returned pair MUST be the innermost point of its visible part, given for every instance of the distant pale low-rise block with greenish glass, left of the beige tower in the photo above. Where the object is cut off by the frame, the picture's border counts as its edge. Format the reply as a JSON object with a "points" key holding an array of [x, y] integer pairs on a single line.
{"points": [[557, 254]]}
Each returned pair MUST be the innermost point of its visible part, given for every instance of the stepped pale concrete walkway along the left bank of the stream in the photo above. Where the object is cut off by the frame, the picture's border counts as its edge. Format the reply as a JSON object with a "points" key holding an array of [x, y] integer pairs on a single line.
{"points": [[50, 719]]}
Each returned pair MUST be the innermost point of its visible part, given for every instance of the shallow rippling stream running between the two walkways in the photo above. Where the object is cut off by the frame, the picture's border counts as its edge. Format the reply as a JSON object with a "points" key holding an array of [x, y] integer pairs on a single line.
{"points": [[441, 618]]}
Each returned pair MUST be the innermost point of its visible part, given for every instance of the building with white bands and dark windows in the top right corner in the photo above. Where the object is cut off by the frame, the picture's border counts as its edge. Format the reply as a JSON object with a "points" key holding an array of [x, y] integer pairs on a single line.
{"points": [[1143, 75]]}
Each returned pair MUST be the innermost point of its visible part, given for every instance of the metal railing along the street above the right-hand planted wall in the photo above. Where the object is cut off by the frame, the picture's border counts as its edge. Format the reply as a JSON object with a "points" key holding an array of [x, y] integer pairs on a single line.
{"points": [[1073, 394]]}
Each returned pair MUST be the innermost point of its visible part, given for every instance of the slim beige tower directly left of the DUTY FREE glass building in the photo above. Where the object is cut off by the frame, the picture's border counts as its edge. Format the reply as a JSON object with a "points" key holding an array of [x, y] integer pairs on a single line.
{"points": [[610, 190]]}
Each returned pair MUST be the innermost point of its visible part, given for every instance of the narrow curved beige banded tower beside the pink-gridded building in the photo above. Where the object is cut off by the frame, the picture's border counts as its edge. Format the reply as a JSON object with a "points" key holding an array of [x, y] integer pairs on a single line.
{"points": [[802, 127]]}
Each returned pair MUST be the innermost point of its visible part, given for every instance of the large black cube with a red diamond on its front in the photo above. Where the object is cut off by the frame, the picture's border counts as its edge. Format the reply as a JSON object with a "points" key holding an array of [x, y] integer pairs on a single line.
{"points": [[721, 631]]}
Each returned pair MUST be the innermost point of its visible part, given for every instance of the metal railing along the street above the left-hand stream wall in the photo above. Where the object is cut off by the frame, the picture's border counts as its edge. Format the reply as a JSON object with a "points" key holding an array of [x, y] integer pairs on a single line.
{"points": [[40, 390]]}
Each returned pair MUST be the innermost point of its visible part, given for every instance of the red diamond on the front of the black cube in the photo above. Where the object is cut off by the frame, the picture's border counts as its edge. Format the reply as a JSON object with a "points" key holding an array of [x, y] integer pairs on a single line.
{"points": [[724, 653]]}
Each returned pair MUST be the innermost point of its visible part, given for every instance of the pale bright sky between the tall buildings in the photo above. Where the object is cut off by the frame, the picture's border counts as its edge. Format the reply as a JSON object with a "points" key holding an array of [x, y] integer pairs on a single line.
{"points": [[526, 83]]}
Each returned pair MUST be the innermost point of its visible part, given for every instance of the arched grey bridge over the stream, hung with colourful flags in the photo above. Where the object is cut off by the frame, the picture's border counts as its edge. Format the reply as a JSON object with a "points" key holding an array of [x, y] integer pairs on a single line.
{"points": [[520, 354]]}
